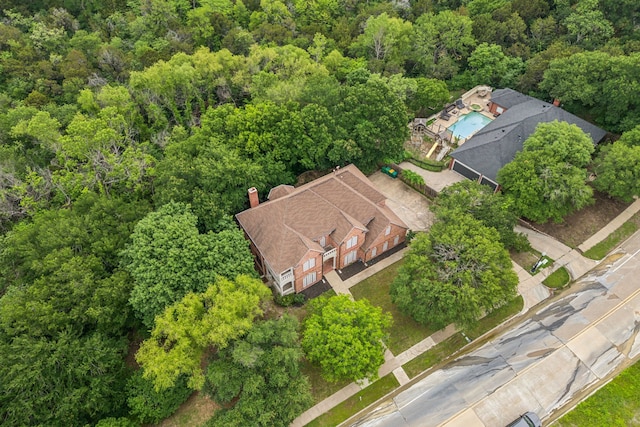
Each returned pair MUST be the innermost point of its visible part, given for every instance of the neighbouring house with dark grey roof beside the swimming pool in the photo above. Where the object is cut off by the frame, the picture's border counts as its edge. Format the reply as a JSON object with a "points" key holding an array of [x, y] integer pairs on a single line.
{"points": [[517, 115]]}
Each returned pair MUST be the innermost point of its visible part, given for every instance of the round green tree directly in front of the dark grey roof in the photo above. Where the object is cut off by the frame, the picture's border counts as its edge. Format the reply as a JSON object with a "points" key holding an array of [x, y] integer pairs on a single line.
{"points": [[547, 180]]}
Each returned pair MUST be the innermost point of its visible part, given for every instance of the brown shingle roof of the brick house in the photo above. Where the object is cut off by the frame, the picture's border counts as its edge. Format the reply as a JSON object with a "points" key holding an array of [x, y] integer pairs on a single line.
{"points": [[284, 228]]}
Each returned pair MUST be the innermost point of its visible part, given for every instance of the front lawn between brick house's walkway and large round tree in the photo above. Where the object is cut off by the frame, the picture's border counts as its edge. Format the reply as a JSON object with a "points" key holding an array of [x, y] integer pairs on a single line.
{"points": [[405, 331]]}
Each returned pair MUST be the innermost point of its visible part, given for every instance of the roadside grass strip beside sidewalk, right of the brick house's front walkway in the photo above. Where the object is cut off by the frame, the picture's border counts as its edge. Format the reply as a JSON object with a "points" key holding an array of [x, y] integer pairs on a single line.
{"points": [[446, 348]]}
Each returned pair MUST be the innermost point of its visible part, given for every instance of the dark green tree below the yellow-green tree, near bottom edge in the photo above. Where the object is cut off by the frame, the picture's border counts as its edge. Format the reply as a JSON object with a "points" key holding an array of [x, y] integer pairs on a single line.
{"points": [[261, 374]]}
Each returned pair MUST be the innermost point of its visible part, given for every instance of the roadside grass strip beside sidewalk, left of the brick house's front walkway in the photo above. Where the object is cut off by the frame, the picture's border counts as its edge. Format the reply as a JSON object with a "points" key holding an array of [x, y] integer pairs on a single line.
{"points": [[357, 402]]}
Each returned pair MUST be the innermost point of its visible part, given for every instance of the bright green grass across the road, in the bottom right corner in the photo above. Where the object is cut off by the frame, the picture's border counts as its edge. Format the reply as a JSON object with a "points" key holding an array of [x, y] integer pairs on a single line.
{"points": [[616, 404]]}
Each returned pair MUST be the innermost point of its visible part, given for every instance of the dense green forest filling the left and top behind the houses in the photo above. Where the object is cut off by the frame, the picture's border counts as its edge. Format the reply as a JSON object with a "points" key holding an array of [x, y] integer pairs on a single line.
{"points": [[131, 129]]}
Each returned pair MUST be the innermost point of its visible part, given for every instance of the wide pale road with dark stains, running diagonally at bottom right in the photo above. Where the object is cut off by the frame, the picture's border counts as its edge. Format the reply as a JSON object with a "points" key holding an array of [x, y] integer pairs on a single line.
{"points": [[541, 364]]}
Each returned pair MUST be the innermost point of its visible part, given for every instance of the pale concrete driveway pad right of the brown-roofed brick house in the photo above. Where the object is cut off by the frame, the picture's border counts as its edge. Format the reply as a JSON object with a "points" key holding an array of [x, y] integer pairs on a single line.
{"points": [[408, 204]]}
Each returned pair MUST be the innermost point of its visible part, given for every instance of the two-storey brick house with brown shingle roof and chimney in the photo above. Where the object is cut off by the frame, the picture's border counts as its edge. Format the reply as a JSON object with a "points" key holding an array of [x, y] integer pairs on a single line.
{"points": [[302, 233]]}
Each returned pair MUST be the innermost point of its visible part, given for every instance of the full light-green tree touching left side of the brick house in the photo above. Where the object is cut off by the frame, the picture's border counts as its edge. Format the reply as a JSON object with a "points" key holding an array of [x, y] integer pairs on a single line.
{"points": [[169, 258]]}
